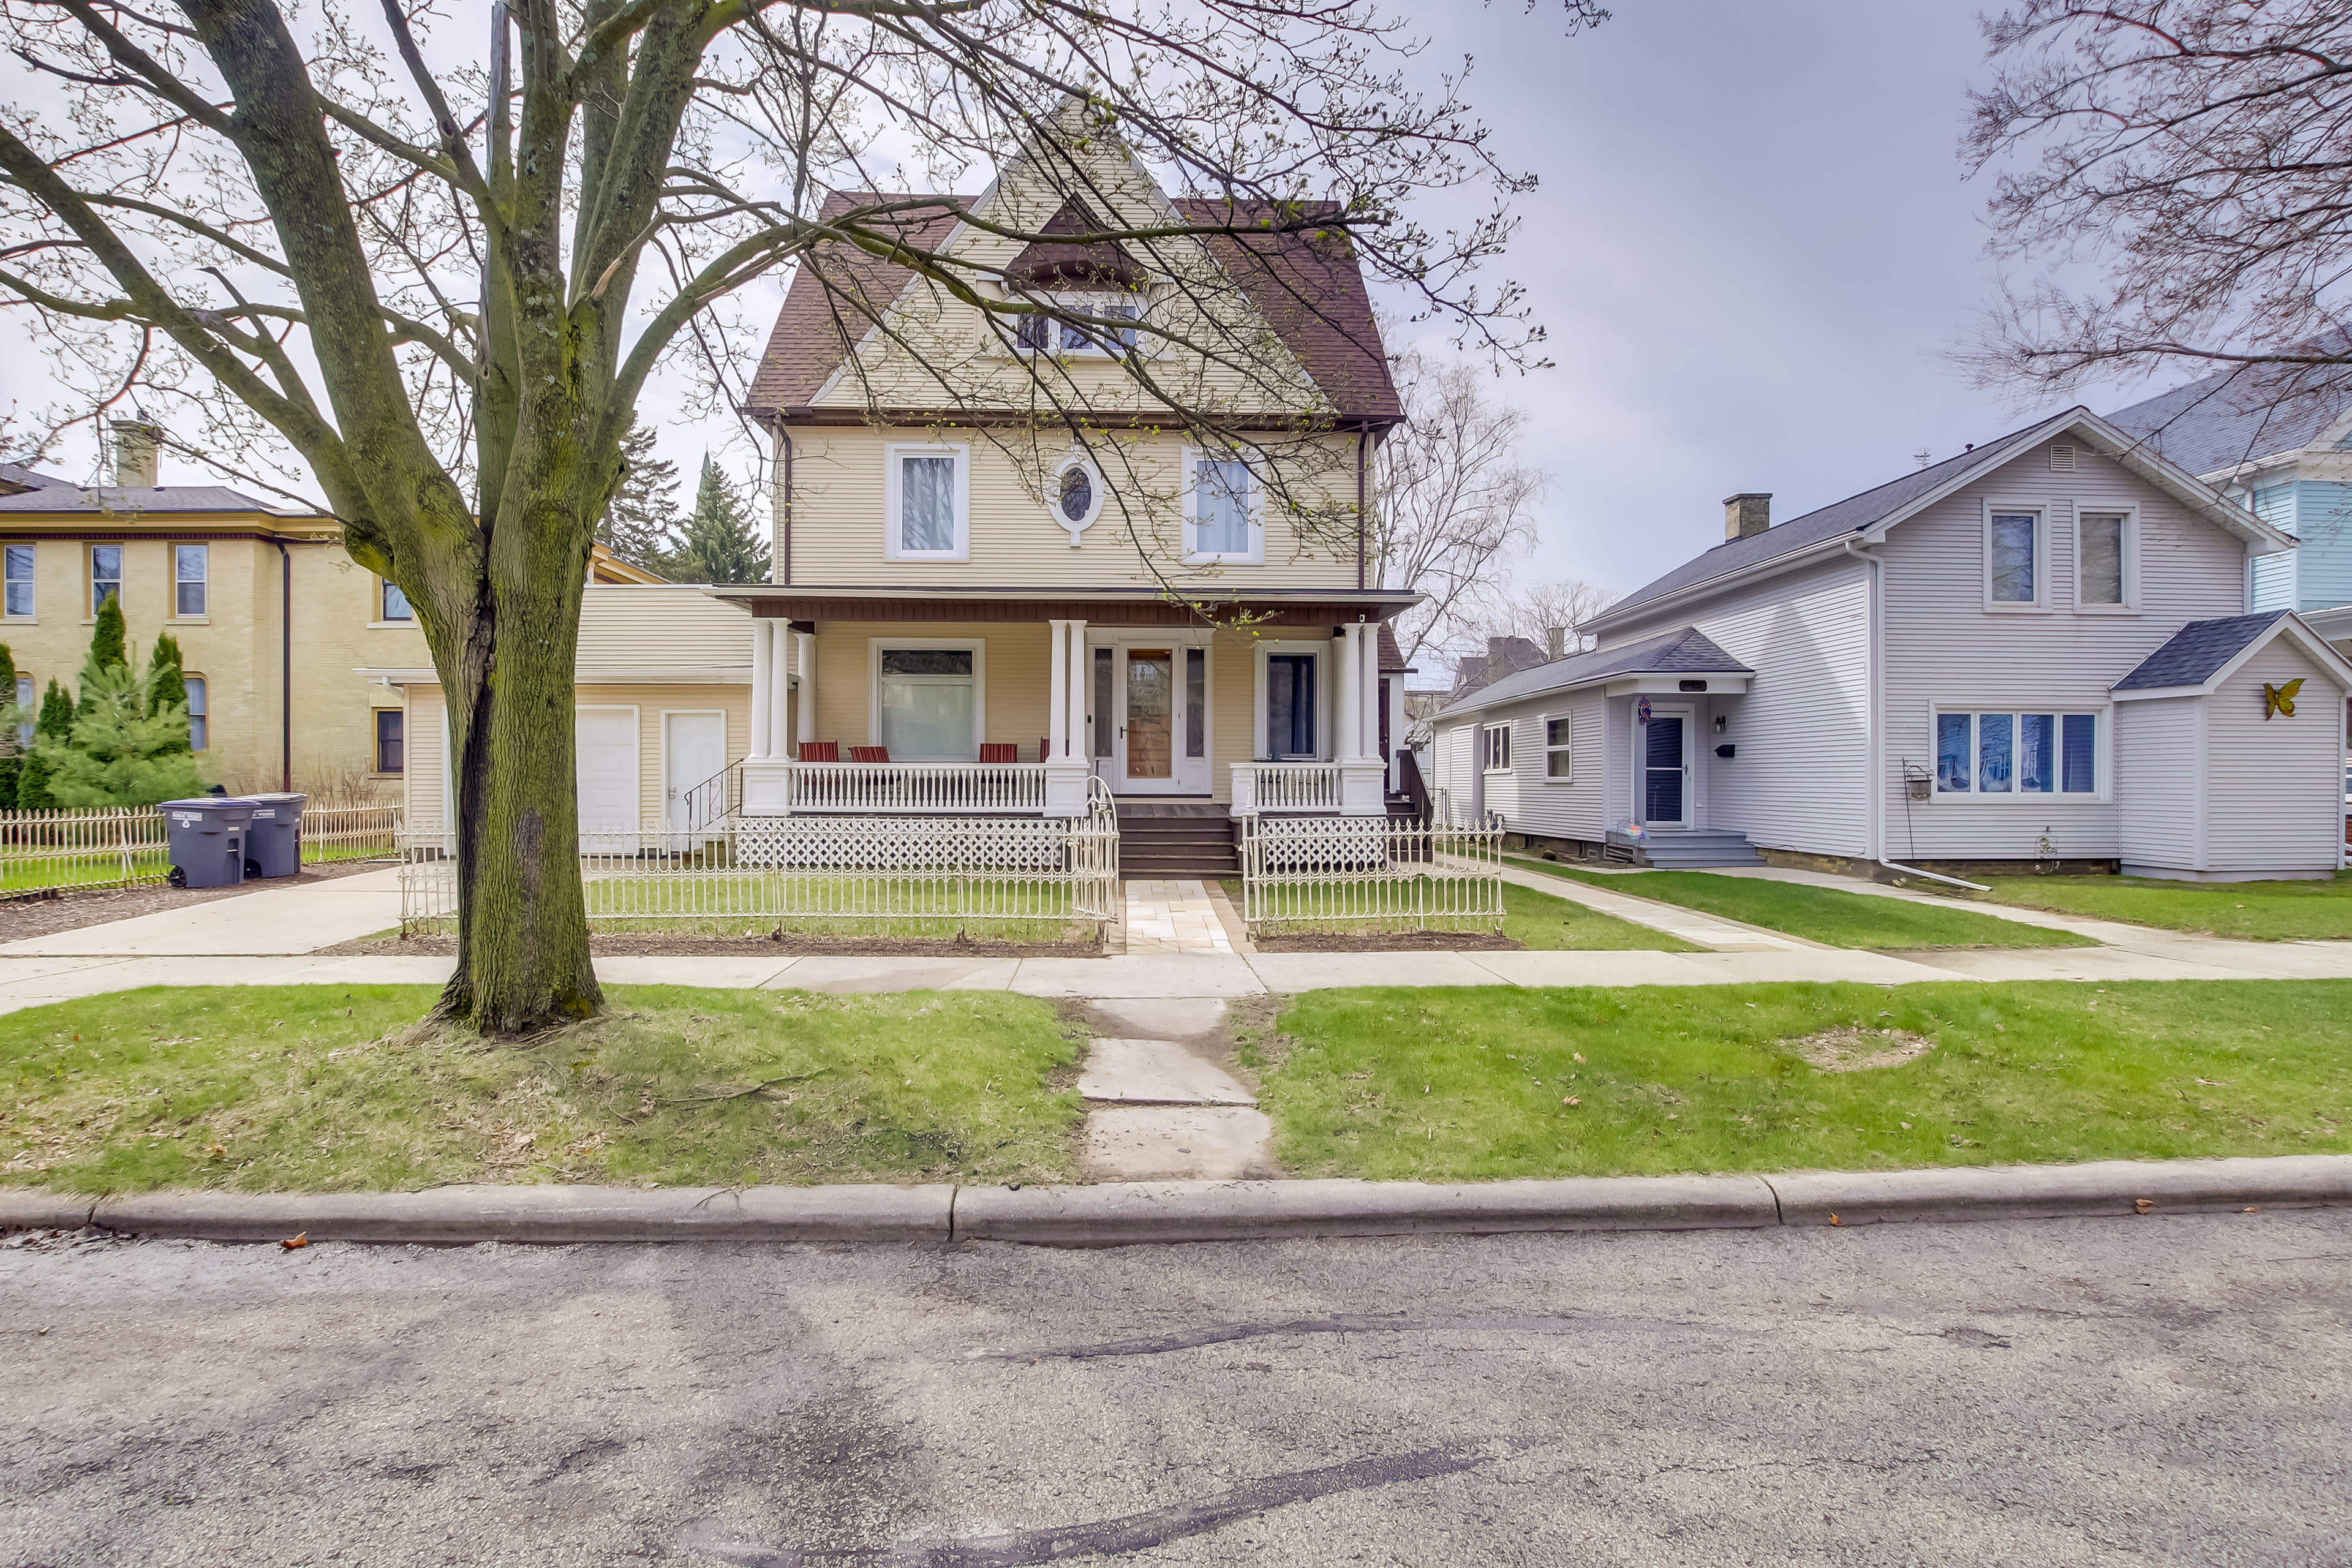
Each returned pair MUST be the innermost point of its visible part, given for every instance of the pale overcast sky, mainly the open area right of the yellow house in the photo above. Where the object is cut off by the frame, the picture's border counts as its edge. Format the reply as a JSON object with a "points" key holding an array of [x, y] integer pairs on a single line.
{"points": [[1753, 250]]}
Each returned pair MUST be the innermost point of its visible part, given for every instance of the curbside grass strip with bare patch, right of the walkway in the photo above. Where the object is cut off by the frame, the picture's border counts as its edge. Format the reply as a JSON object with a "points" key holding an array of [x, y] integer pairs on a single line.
{"points": [[1469, 1085]]}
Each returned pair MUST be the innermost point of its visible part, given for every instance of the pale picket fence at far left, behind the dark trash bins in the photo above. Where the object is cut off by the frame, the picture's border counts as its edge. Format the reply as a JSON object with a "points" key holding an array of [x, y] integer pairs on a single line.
{"points": [[114, 847]]}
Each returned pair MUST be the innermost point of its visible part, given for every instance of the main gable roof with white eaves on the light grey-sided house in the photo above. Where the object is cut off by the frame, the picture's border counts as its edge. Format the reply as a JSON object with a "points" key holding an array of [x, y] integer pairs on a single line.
{"points": [[1873, 511]]}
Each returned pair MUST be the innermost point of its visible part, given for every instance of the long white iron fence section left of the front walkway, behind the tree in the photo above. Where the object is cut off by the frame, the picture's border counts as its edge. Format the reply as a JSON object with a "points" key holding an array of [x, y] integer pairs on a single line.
{"points": [[834, 876]]}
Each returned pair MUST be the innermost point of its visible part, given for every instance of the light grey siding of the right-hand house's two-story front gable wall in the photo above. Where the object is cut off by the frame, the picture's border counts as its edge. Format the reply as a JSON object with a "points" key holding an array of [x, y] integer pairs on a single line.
{"points": [[1946, 648]]}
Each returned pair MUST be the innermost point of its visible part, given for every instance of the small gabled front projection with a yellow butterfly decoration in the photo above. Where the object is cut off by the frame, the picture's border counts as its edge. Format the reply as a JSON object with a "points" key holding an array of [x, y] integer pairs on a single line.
{"points": [[2276, 786]]}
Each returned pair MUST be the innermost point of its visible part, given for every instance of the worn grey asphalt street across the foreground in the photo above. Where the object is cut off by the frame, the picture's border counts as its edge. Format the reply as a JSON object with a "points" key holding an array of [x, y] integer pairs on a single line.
{"points": [[2165, 1391]]}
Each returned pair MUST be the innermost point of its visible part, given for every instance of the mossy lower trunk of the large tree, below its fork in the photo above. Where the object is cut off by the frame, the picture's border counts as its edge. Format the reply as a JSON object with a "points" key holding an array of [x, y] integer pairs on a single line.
{"points": [[523, 934]]}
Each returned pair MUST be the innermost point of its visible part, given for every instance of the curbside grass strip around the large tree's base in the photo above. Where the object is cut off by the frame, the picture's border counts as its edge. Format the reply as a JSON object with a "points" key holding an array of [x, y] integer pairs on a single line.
{"points": [[323, 1090]]}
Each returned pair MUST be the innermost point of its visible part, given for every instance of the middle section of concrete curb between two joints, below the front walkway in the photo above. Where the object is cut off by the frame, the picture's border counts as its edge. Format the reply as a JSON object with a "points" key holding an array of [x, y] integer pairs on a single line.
{"points": [[1118, 1214]]}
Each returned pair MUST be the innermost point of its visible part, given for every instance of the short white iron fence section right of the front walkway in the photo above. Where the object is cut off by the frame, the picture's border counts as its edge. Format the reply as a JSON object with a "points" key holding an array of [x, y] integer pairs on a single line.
{"points": [[1356, 873]]}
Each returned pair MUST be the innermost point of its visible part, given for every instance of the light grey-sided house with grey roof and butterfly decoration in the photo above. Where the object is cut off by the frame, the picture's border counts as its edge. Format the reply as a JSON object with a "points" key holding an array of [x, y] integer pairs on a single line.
{"points": [[2033, 655]]}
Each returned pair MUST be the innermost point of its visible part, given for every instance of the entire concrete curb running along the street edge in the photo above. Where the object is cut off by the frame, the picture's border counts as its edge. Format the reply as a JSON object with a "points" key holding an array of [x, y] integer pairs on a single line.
{"points": [[1123, 1214]]}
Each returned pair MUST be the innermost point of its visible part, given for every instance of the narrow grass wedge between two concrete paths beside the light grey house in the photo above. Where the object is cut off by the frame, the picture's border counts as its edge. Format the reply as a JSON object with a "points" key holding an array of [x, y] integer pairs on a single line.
{"points": [[1822, 916]]}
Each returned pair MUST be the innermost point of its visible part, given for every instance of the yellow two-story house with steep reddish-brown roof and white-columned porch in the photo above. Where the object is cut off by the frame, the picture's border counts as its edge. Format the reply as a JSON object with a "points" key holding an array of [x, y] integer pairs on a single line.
{"points": [[1015, 554]]}
